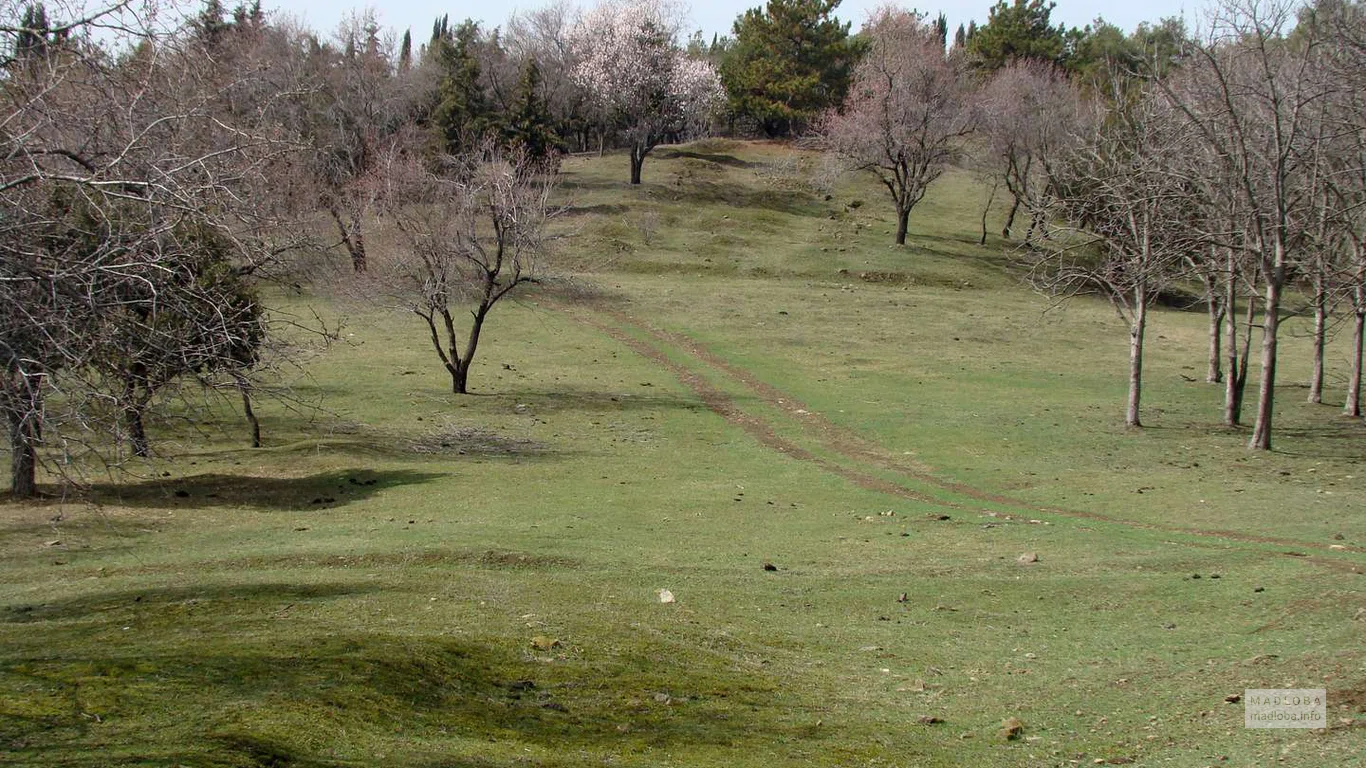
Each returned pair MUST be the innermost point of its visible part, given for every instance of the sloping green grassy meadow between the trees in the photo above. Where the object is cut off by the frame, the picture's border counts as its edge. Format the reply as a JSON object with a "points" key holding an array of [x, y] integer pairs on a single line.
{"points": [[833, 453]]}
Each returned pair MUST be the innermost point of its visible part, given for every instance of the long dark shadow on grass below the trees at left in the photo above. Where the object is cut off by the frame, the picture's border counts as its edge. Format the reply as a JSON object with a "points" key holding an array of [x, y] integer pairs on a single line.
{"points": [[212, 490]]}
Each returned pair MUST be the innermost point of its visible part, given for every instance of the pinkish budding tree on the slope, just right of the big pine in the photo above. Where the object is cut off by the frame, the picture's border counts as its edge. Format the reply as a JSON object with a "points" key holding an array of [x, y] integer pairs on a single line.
{"points": [[906, 114]]}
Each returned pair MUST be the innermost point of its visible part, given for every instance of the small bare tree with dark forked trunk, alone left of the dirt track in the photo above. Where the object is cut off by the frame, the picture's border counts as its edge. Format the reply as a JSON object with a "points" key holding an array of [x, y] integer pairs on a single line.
{"points": [[471, 236]]}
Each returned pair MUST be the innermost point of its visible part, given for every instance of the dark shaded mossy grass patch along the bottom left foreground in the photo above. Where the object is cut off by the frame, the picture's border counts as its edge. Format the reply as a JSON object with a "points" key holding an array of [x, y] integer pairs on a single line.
{"points": [[260, 703]]}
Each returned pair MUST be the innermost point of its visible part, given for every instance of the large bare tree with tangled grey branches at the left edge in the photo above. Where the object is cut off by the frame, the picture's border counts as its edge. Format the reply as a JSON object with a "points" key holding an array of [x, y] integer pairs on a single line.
{"points": [[113, 155]]}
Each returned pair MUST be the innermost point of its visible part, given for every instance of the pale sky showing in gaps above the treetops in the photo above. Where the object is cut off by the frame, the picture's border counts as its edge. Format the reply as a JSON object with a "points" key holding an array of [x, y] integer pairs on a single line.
{"points": [[711, 16]]}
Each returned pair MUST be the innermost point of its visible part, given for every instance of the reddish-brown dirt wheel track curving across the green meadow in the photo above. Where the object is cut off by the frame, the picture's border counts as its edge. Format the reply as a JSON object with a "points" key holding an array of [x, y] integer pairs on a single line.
{"points": [[853, 448]]}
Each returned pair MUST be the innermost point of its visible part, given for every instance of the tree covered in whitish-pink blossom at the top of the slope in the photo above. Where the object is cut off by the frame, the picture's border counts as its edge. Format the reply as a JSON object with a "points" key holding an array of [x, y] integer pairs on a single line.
{"points": [[632, 64]]}
